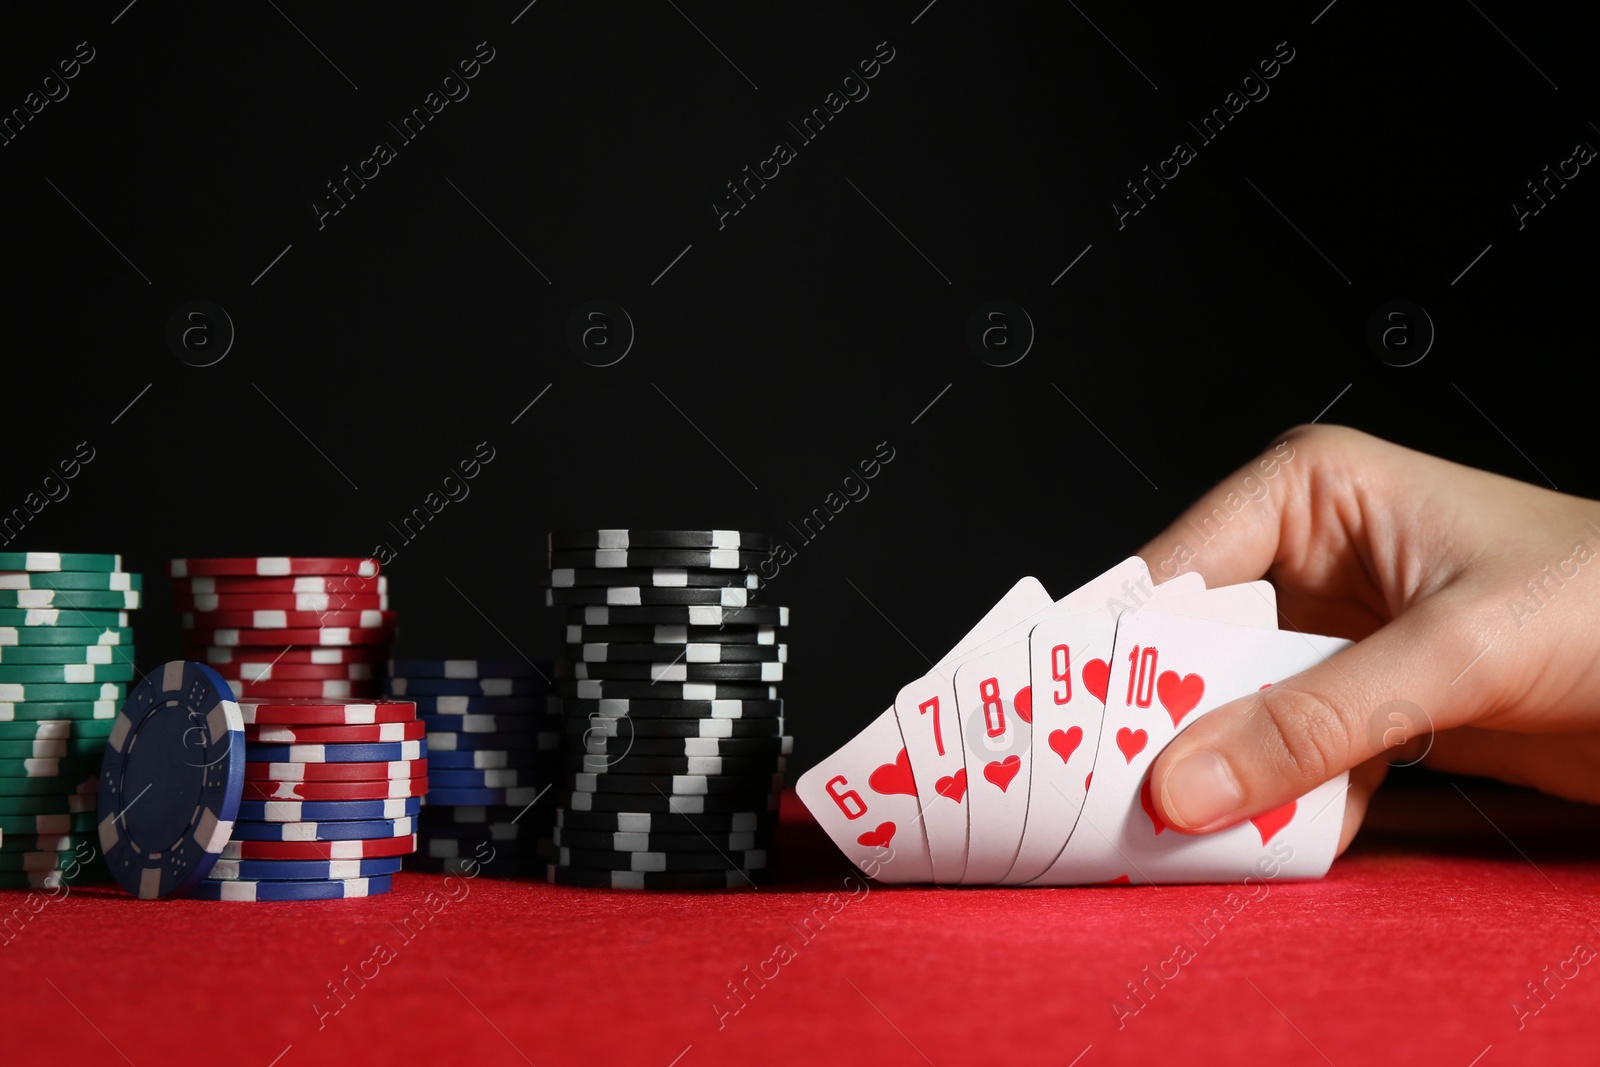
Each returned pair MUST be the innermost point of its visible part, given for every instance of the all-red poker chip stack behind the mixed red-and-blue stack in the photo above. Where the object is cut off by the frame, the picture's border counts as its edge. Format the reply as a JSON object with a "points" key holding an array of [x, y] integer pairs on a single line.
{"points": [[287, 626]]}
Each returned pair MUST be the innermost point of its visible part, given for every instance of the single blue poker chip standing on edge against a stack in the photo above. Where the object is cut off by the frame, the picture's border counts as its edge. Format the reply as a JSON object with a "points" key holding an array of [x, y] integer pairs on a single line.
{"points": [[172, 781]]}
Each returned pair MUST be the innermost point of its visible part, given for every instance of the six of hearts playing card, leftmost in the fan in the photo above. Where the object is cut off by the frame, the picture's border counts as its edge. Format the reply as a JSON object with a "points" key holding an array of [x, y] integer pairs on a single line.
{"points": [[866, 799]]}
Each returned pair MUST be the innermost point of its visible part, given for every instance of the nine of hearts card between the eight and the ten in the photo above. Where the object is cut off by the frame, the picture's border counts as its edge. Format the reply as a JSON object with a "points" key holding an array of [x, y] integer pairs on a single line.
{"points": [[1070, 661]]}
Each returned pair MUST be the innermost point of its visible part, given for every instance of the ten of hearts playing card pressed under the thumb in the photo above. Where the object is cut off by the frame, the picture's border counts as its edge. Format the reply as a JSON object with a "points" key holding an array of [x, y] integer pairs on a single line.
{"points": [[1170, 671]]}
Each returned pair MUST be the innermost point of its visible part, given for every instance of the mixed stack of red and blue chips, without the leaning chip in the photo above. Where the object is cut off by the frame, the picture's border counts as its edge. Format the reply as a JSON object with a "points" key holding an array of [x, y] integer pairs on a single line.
{"points": [[330, 801]]}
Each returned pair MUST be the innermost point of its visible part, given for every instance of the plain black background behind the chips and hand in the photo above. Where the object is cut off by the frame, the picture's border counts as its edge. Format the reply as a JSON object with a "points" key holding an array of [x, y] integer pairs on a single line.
{"points": [[780, 350]]}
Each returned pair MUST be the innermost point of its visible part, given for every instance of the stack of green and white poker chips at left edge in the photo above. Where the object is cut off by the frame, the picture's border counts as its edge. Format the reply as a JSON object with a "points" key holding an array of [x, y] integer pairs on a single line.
{"points": [[66, 660]]}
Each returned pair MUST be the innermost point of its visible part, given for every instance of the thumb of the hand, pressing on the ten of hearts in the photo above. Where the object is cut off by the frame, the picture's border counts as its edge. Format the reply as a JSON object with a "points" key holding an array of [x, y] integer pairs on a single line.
{"points": [[1271, 748]]}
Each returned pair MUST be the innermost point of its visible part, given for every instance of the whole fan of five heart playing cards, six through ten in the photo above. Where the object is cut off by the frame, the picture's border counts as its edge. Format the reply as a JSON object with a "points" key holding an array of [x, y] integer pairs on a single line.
{"points": [[1022, 757]]}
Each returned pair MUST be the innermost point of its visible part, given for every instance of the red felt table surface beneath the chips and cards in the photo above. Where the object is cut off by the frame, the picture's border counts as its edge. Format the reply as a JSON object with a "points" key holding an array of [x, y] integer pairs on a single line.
{"points": [[1414, 951]]}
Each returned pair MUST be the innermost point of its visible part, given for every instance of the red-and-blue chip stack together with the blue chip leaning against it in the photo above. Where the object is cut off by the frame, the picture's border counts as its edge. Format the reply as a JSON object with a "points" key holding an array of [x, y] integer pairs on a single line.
{"points": [[278, 799]]}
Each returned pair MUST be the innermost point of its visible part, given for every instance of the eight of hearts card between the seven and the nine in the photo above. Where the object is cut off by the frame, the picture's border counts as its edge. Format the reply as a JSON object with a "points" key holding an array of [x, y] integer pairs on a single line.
{"points": [[991, 700]]}
